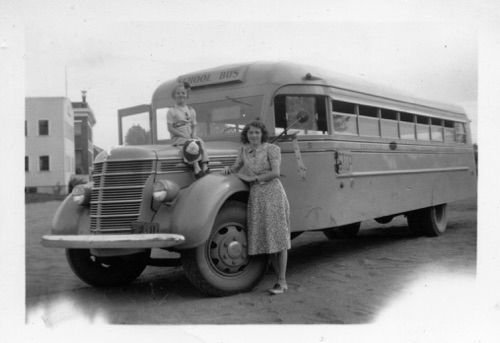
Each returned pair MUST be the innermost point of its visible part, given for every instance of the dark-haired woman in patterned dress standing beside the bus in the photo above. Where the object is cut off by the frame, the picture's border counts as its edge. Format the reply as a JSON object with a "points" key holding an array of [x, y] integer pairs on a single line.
{"points": [[268, 218]]}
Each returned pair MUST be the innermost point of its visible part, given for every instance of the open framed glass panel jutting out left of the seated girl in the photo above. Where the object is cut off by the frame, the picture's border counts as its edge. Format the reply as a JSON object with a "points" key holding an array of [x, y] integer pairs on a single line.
{"points": [[134, 125]]}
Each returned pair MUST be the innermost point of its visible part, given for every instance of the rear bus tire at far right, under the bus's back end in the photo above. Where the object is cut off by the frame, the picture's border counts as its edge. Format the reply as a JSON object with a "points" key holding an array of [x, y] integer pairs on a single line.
{"points": [[430, 221]]}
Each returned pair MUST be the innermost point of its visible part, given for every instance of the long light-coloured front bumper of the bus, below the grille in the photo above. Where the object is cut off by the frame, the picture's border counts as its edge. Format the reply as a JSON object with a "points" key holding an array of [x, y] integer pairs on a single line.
{"points": [[156, 240]]}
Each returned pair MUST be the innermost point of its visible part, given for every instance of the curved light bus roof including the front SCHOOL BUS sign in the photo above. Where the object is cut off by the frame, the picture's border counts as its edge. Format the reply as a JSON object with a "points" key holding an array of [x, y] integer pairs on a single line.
{"points": [[287, 73]]}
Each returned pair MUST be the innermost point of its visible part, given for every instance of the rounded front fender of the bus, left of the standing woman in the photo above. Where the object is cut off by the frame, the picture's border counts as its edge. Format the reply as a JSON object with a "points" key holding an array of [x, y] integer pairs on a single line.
{"points": [[194, 212]]}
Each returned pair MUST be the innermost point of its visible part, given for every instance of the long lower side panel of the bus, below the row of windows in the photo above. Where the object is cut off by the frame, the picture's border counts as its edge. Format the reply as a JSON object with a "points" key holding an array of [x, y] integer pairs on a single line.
{"points": [[380, 181]]}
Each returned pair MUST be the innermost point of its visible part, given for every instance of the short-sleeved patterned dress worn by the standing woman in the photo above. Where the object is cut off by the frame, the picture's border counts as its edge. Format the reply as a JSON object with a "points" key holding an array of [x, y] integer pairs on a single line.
{"points": [[268, 218]]}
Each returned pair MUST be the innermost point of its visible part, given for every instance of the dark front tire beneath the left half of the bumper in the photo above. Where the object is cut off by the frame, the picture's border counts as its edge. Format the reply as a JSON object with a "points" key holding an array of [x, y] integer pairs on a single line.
{"points": [[106, 271]]}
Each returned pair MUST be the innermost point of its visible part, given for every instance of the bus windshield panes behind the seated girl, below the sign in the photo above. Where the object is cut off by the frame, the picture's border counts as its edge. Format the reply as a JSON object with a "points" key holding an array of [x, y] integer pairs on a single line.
{"points": [[216, 118]]}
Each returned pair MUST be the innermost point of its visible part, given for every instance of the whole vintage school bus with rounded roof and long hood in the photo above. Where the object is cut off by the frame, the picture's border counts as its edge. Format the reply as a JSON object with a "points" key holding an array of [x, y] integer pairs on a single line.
{"points": [[350, 152]]}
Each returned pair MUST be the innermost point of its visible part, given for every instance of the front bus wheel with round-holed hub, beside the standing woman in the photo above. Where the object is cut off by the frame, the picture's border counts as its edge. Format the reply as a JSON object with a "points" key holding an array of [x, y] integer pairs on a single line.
{"points": [[221, 266]]}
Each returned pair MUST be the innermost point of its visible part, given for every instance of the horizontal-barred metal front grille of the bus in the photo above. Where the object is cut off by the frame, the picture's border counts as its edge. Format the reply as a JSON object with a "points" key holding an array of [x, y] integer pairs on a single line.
{"points": [[117, 194]]}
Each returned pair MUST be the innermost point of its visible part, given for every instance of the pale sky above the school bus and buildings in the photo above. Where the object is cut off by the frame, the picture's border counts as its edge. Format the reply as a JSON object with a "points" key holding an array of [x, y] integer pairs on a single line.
{"points": [[121, 62]]}
